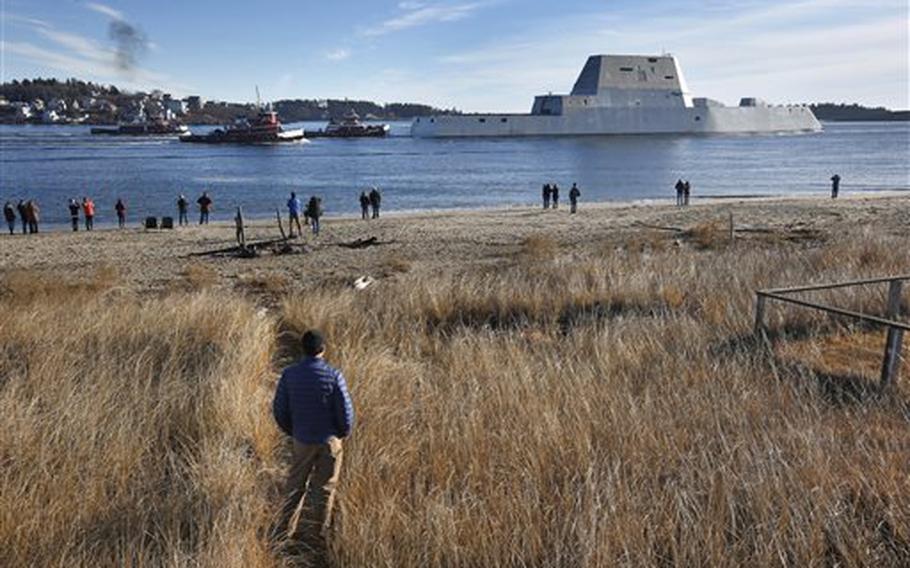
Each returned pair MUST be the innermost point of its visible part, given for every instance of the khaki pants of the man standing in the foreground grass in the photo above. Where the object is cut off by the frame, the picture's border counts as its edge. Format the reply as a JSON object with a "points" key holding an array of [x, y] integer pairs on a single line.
{"points": [[310, 491]]}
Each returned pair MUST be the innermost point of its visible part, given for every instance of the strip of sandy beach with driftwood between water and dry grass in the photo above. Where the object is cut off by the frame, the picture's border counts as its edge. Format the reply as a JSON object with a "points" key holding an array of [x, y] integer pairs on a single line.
{"points": [[443, 240]]}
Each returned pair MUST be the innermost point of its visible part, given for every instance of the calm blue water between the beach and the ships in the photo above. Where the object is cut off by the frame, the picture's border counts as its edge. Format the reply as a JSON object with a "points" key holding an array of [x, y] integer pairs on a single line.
{"points": [[54, 163]]}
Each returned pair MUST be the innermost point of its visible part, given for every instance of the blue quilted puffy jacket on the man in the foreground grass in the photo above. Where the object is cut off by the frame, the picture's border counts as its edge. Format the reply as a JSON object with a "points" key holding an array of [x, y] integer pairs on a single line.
{"points": [[312, 402]]}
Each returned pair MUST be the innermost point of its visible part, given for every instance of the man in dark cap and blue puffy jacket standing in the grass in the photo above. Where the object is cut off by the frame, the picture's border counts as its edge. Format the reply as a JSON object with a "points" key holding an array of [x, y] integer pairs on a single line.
{"points": [[313, 406]]}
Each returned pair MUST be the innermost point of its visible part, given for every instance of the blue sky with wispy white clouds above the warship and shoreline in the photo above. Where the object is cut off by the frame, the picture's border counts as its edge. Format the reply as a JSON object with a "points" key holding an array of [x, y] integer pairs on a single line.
{"points": [[474, 55]]}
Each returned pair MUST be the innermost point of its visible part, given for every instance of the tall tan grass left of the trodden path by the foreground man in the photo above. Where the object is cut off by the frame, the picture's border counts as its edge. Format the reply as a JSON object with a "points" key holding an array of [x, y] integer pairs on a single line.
{"points": [[133, 431]]}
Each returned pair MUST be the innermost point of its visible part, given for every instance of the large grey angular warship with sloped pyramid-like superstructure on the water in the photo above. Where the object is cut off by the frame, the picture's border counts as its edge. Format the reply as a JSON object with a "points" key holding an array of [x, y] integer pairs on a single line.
{"points": [[626, 94]]}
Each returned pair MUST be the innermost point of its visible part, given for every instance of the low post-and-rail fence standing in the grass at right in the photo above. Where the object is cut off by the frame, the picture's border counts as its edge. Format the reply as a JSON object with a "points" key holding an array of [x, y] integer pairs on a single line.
{"points": [[892, 357]]}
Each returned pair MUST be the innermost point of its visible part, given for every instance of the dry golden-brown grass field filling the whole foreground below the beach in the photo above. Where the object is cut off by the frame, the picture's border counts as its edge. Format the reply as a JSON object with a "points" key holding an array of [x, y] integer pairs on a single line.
{"points": [[601, 408]]}
